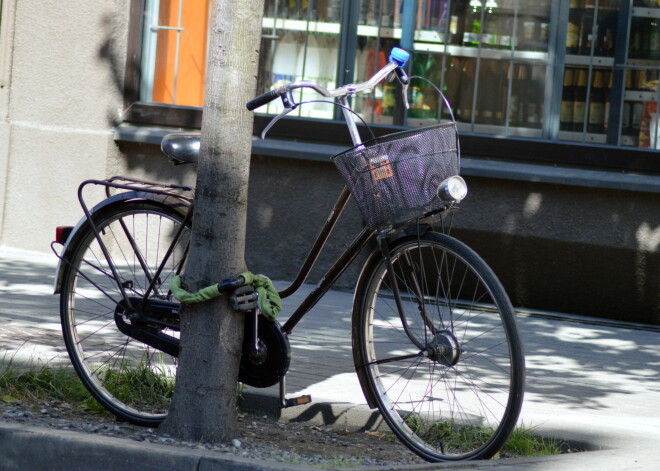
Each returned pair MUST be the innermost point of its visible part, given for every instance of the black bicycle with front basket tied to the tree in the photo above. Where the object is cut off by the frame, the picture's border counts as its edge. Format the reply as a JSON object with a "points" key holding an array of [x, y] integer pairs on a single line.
{"points": [[435, 341]]}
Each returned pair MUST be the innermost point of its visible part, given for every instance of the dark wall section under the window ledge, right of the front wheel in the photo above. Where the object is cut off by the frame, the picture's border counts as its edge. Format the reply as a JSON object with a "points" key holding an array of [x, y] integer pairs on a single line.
{"points": [[570, 249]]}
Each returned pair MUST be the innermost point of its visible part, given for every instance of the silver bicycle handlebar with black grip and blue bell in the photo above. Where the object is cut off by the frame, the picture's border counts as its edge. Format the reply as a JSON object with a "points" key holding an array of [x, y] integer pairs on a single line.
{"points": [[398, 58]]}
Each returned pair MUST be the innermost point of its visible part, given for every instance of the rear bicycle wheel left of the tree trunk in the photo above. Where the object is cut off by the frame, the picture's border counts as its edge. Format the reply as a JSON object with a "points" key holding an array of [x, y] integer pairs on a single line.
{"points": [[132, 380]]}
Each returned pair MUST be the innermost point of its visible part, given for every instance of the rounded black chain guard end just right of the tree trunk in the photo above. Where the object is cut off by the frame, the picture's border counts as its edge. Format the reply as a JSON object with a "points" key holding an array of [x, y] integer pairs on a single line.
{"points": [[270, 367]]}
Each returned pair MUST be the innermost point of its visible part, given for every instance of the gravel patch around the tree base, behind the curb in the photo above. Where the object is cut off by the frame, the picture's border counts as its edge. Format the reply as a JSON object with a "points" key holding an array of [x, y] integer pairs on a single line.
{"points": [[260, 437]]}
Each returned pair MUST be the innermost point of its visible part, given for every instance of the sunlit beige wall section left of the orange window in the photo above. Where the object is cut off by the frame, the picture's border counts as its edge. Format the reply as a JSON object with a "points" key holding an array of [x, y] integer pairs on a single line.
{"points": [[63, 64]]}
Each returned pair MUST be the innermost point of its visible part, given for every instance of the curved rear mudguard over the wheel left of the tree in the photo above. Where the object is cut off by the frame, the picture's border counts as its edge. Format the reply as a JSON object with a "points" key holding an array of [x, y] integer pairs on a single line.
{"points": [[80, 228]]}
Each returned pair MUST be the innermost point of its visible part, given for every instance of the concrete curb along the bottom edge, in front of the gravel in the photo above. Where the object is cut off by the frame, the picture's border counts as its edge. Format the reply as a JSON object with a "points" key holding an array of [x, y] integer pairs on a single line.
{"points": [[24, 447]]}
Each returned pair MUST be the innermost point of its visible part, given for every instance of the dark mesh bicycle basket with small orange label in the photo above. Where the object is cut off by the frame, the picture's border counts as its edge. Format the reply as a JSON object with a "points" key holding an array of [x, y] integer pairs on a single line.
{"points": [[395, 178]]}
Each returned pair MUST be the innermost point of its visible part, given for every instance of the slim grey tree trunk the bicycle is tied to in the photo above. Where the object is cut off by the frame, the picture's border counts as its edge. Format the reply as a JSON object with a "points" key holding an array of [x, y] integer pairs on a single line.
{"points": [[204, 403]]}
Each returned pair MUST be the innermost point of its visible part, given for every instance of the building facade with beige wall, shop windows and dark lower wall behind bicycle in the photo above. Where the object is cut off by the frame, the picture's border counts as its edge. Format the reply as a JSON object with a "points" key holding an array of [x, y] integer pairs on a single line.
{"points": [[555, 101]]}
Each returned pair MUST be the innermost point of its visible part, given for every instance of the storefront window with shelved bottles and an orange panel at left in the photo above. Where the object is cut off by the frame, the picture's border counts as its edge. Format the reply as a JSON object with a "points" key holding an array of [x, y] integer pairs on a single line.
{"points": [[573, 71]]}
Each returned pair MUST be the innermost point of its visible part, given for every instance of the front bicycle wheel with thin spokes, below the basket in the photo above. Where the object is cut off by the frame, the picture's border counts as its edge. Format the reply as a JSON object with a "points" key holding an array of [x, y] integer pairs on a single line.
{"points": [[443, 363]]}
